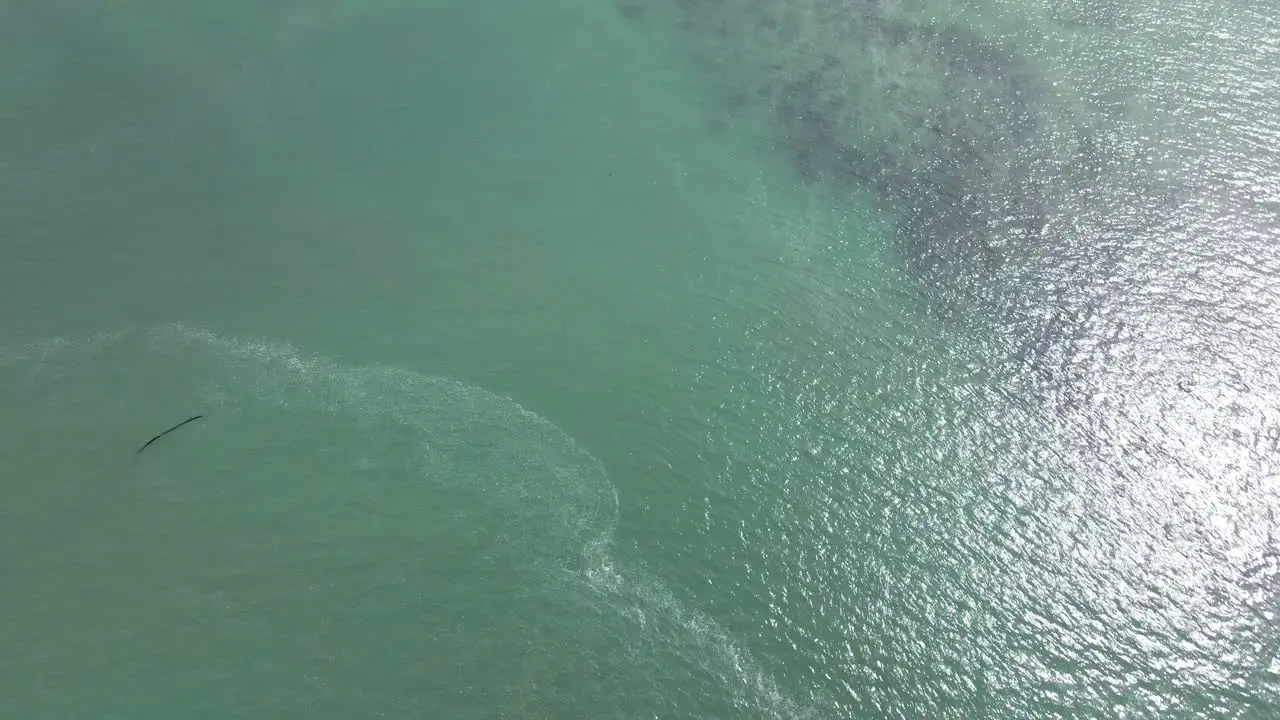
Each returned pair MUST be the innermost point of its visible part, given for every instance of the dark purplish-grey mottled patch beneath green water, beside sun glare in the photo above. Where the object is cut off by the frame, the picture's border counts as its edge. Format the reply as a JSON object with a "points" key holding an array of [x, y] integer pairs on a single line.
{"points": [[949, 121]]}
